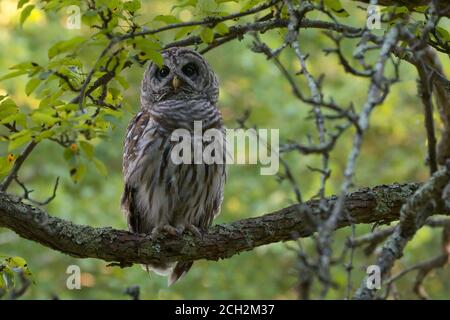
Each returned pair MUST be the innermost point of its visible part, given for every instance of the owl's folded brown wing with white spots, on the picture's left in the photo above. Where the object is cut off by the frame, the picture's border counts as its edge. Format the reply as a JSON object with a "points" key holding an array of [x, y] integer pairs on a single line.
{"points": [[136, 129]]}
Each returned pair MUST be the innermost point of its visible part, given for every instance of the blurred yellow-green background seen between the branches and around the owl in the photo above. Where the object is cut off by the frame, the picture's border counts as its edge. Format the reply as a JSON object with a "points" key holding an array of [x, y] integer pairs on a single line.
{"points": [[394, 151]]}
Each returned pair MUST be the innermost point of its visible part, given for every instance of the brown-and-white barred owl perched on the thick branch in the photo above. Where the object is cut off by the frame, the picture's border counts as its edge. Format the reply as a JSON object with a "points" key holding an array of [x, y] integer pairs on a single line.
{"points": [[159, 195]]}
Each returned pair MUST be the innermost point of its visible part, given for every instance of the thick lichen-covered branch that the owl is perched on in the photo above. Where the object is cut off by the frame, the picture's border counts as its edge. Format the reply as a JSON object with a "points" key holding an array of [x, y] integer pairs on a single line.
{"points": [[380, 204]]}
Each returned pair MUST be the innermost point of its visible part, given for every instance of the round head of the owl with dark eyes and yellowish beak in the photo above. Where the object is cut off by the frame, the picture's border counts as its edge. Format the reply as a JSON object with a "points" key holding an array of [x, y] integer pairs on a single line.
{"points": [[184, 75]]}
